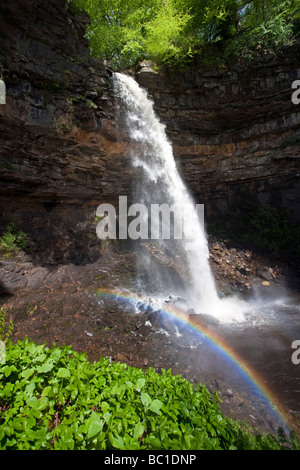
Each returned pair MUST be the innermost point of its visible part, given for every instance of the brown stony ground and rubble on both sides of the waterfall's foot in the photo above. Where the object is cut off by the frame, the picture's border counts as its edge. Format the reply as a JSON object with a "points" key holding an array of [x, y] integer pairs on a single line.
{"points": [[68, 304]]}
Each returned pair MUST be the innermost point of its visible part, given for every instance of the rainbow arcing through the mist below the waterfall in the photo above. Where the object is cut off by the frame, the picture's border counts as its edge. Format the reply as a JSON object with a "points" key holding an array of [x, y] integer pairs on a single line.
{"points": [[218, 343]]}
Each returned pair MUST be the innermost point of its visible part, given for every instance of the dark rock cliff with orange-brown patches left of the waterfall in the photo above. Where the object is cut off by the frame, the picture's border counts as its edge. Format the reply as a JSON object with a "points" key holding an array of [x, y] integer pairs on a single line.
{"points": [[59, 157]]}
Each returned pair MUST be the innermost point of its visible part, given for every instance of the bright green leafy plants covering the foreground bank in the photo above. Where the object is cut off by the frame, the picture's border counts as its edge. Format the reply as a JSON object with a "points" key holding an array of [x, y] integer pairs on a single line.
{"points": [[56, 399]]}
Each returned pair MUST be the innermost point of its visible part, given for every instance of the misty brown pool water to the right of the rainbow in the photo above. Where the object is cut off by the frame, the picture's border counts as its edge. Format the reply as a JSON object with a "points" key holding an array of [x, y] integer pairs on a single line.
{"points": [[265, 341]]}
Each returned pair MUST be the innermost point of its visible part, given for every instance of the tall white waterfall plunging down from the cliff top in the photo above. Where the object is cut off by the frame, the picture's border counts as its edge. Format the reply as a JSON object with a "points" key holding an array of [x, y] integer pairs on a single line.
{"points": [[172, 265]]}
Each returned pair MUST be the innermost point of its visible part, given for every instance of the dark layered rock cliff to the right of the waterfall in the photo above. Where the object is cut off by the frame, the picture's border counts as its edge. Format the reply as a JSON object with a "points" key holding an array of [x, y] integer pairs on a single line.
{"points": [[235, 133]]}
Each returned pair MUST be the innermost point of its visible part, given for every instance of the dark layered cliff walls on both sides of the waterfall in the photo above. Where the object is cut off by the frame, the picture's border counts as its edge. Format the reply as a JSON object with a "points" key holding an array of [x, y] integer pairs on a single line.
{"points": [[235, 133]]}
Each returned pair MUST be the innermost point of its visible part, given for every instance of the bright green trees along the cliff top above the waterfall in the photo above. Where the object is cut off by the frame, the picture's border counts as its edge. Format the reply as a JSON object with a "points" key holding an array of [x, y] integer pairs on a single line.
{"points": [[173, 31]]}
